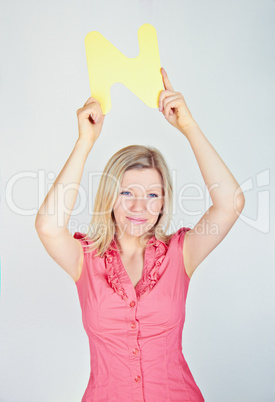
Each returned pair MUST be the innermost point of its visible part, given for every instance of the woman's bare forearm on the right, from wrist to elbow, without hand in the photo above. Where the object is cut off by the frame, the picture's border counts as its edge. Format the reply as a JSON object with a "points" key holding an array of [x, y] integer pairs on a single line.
{"points": [[224, 190]]}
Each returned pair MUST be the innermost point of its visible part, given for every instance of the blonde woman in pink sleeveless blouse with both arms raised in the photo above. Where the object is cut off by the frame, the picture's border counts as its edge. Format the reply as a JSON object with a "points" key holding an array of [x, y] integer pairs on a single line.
{"points": [[132, 278]]}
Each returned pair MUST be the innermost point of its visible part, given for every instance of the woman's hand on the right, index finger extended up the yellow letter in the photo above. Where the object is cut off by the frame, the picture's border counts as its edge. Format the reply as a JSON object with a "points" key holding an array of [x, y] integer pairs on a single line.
{"points": [[173, 106]]}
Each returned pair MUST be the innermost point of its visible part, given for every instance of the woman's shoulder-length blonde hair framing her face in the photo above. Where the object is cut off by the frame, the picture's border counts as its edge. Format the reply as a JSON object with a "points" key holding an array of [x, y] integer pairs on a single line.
{"points": [[102, 226]]}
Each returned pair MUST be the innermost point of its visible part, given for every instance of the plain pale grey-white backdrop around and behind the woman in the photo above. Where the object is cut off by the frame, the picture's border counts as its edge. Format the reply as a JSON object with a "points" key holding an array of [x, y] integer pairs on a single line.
{"points": [[220, 55]]}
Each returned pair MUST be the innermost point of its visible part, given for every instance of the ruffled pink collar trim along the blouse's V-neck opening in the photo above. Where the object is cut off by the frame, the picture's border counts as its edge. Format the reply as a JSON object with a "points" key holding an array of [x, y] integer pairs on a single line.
{"points": [[118, 277]]}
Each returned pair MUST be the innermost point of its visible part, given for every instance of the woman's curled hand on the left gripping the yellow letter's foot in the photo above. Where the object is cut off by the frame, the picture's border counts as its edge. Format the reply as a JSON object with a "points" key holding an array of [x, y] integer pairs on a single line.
{"points": [[90, 120]]}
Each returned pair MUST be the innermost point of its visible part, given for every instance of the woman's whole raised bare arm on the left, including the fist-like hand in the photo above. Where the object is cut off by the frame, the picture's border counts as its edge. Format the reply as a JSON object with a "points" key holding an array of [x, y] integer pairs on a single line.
{"points": [[53, 216]]}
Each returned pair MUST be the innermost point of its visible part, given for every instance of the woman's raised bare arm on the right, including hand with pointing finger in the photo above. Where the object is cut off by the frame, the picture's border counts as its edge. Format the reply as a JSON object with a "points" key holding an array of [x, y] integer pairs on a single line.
{"points": [[225, 192]]}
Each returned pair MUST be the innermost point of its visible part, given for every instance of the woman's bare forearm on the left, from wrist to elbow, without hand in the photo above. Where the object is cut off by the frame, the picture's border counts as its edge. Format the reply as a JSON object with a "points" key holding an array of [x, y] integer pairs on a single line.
{"points": [[55, 211]]}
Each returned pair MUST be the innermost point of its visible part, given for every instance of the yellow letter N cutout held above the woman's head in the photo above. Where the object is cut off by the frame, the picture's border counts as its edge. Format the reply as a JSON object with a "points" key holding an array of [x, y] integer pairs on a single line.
{"points": [[107, 65]]}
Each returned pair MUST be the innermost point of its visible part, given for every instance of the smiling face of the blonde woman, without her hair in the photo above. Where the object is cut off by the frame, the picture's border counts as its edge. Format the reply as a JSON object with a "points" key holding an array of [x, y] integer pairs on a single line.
{"points": [[139, 203]]}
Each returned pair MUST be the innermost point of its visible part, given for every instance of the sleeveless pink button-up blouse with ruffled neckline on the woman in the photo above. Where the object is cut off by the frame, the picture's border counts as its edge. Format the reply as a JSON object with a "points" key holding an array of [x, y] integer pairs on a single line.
{"points": [[135, 333]]}
